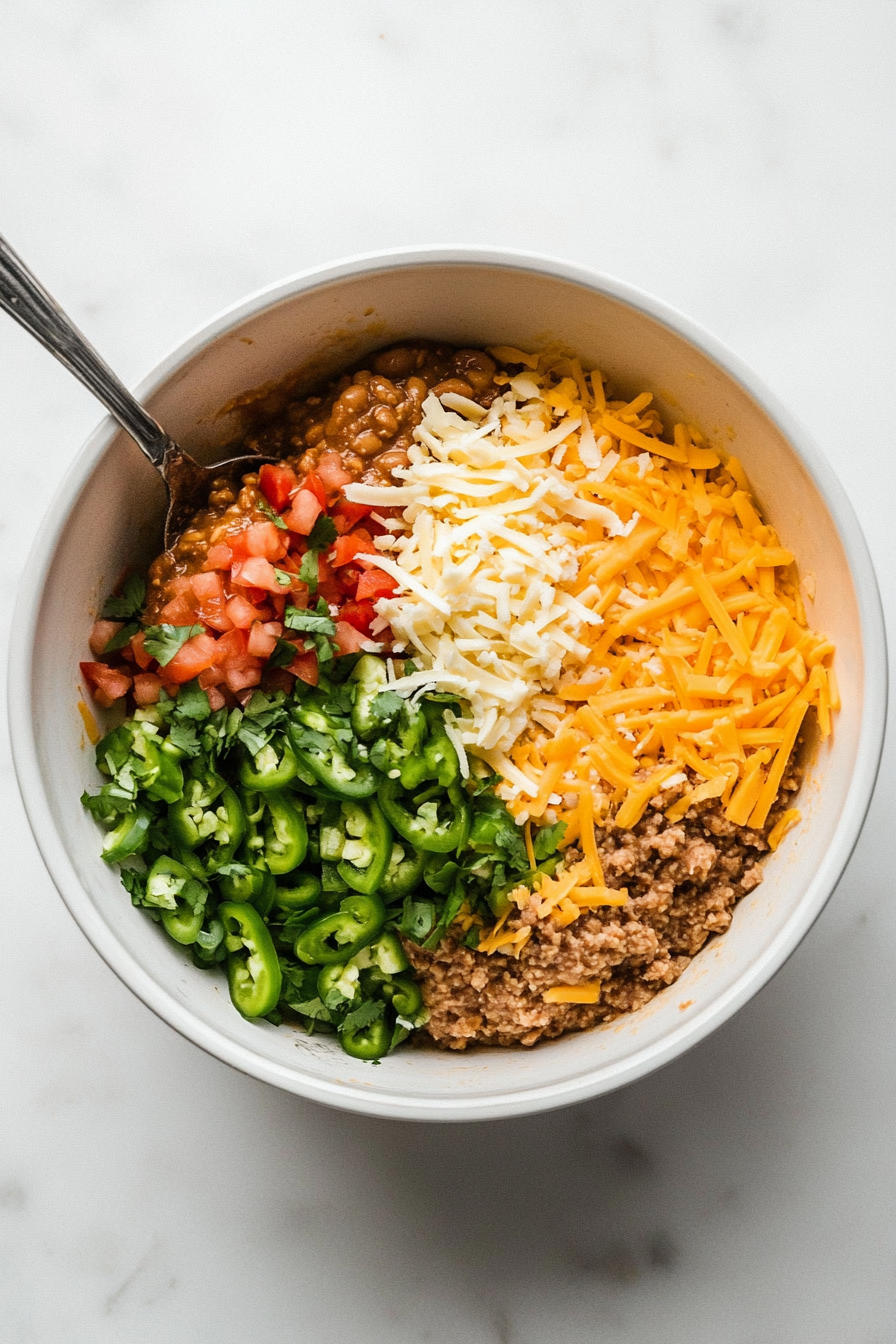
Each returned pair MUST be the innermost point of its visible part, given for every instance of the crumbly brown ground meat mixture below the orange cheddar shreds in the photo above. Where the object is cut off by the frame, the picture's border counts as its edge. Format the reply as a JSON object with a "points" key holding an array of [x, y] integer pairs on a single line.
{"points": [[684, 882]]}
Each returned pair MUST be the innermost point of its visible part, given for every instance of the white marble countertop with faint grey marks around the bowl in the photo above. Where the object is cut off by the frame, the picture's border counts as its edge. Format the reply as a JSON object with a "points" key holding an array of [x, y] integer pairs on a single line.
{"points": [[161, 162]]}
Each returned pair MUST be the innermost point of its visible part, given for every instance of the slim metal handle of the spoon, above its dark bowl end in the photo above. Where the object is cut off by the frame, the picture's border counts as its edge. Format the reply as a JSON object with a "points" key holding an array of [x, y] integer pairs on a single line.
{"points": [[25, 299]]}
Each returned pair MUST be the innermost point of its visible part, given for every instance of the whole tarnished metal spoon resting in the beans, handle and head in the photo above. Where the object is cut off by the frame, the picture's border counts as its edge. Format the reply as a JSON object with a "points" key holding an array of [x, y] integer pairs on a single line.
{"points": [[187, 480]]}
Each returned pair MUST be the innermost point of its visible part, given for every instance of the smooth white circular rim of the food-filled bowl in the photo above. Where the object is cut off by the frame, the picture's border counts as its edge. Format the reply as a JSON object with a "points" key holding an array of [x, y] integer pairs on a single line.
{"points": [[527, 1100]]}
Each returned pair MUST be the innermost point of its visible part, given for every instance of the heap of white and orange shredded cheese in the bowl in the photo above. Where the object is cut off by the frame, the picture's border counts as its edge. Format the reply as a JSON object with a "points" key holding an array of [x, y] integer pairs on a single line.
{"points": [[611, 605]]}
